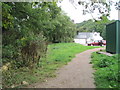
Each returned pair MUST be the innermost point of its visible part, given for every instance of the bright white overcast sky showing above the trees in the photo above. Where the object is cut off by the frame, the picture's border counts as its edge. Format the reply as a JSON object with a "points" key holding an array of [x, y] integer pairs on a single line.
{"points": [[77, 14]]}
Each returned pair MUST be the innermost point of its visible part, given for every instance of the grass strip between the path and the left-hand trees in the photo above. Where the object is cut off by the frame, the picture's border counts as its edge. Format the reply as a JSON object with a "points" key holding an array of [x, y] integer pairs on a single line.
{"points": [[57, 55]]}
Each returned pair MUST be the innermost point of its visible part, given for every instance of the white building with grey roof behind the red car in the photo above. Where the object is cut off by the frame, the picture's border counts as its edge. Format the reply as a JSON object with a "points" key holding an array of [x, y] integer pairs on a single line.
{"points": [[87, 37]]}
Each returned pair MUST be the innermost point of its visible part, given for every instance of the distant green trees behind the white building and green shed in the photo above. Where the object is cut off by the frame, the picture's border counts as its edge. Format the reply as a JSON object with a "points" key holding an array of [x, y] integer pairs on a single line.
{"points": [[90, 26]]}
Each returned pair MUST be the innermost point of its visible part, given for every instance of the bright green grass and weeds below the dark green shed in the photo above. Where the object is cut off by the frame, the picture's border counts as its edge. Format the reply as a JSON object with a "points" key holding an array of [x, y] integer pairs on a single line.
{"points": [[106, 75]]}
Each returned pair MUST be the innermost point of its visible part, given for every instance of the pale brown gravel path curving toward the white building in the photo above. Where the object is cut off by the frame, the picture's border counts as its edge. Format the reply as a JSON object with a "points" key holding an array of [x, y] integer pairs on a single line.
{"points": [[76, 74]]}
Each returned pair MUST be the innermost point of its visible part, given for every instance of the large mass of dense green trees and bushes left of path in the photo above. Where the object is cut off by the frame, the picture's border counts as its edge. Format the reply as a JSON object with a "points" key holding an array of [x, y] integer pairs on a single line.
{"points": [[27, 29]]}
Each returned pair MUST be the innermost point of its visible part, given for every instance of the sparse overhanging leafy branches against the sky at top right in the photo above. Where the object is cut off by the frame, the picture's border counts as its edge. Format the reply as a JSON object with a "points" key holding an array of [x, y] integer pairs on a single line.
{"points": [[102, 6]]}
